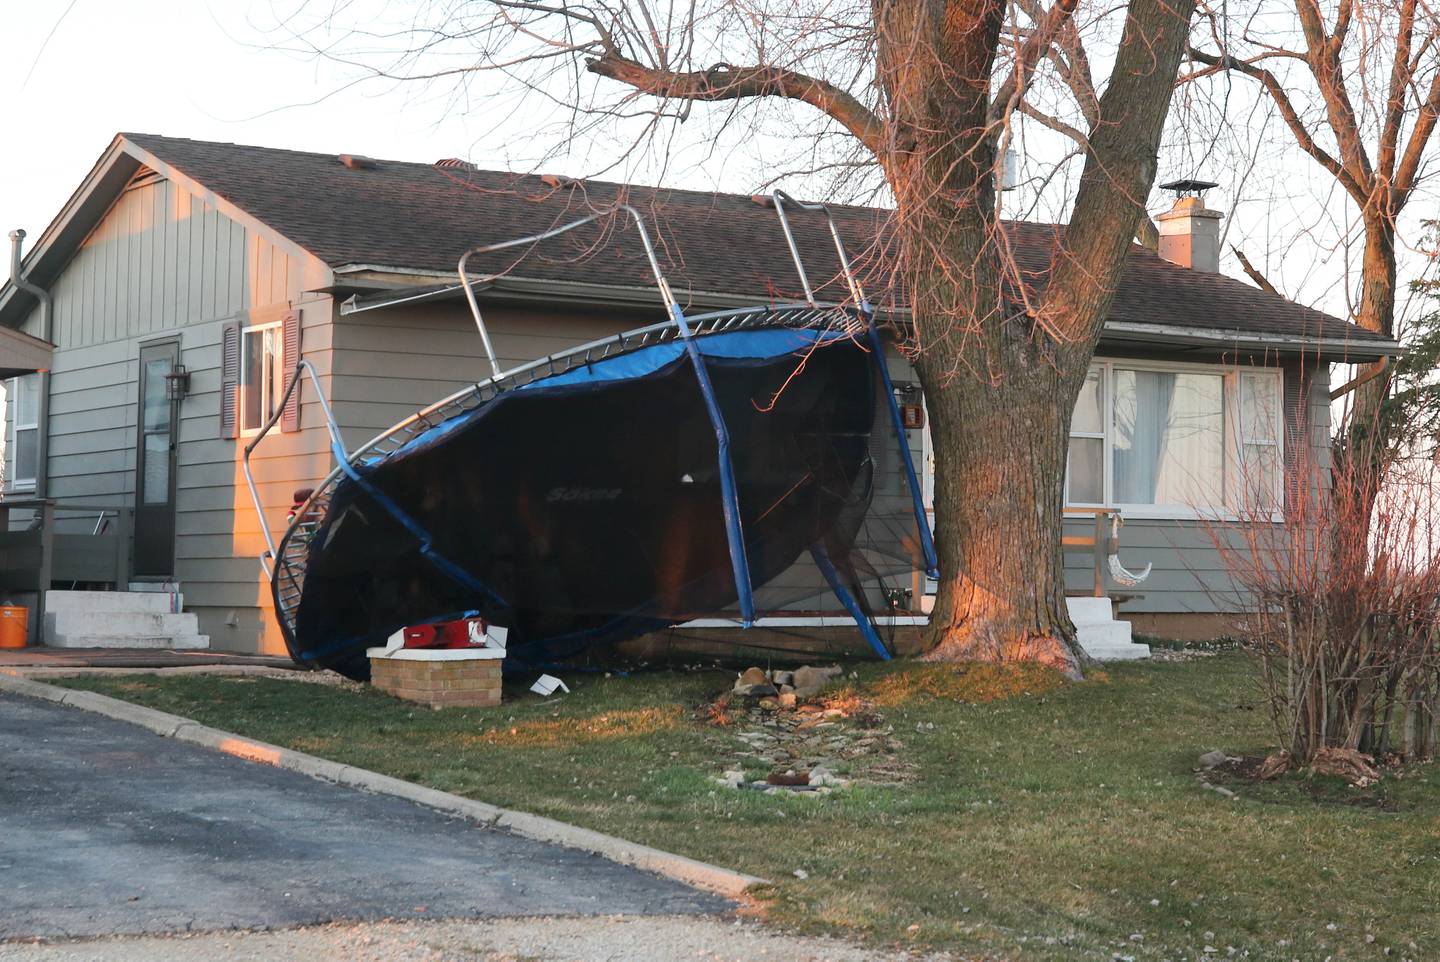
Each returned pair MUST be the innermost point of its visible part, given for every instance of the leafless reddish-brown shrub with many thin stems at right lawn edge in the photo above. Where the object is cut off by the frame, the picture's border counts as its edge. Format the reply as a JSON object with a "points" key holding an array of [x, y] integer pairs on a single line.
{"points": [[1344, 613]]}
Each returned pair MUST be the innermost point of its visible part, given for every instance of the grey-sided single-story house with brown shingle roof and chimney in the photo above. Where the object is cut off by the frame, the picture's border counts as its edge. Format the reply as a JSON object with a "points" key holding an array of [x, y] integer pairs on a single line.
{"points": [[184, 280]]}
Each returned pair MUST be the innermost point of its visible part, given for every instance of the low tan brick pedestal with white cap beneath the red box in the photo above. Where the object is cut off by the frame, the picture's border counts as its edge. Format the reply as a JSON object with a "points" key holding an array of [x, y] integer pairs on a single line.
{"points": [[440, 678]]}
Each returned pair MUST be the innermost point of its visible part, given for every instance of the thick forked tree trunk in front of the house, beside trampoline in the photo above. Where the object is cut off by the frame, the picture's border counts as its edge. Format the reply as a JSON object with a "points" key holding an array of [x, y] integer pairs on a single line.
{"points": [[1002, 371]]}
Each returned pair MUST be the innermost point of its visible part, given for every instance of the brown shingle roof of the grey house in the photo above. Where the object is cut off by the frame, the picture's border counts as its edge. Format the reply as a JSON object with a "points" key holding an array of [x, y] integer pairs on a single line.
{"points": [[421, 218]]}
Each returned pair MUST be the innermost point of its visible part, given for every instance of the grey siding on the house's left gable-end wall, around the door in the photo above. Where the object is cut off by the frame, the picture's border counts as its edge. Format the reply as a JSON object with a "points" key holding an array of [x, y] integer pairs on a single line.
{"points": [[163, 264]]}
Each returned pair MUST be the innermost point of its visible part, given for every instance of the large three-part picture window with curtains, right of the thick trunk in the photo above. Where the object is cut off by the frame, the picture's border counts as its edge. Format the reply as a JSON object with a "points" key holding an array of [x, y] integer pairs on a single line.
{"points": [[1173, 440]]}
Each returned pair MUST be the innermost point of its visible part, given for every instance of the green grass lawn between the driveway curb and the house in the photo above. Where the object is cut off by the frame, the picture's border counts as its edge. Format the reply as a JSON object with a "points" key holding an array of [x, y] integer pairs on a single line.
{"points": [[1063, 824]]}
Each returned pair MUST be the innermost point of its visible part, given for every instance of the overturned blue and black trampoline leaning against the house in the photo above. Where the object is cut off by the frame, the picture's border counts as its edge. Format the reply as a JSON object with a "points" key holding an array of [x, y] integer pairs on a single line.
{"points": [[729, 464]]}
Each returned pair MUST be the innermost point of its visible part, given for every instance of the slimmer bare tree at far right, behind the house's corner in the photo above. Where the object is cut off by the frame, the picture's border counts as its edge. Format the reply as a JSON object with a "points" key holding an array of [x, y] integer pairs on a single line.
{"points": [[1359, 89]]}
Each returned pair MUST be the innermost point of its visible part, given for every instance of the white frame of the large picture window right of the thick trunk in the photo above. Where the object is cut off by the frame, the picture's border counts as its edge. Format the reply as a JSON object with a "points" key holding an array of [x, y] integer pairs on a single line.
{"points": [[1233, 441]]}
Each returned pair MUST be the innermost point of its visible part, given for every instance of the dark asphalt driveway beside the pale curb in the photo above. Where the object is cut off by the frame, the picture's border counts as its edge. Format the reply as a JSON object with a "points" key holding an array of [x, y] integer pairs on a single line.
{"points": [[110, 830]]}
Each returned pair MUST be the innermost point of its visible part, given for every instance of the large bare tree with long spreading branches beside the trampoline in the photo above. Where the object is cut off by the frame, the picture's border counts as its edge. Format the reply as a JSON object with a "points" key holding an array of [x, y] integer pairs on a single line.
{"points": [[925, 94]]}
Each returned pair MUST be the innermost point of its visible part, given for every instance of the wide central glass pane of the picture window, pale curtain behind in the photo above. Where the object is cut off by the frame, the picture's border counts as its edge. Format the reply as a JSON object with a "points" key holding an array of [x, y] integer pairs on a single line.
{"points": [[1169, 439]]}
